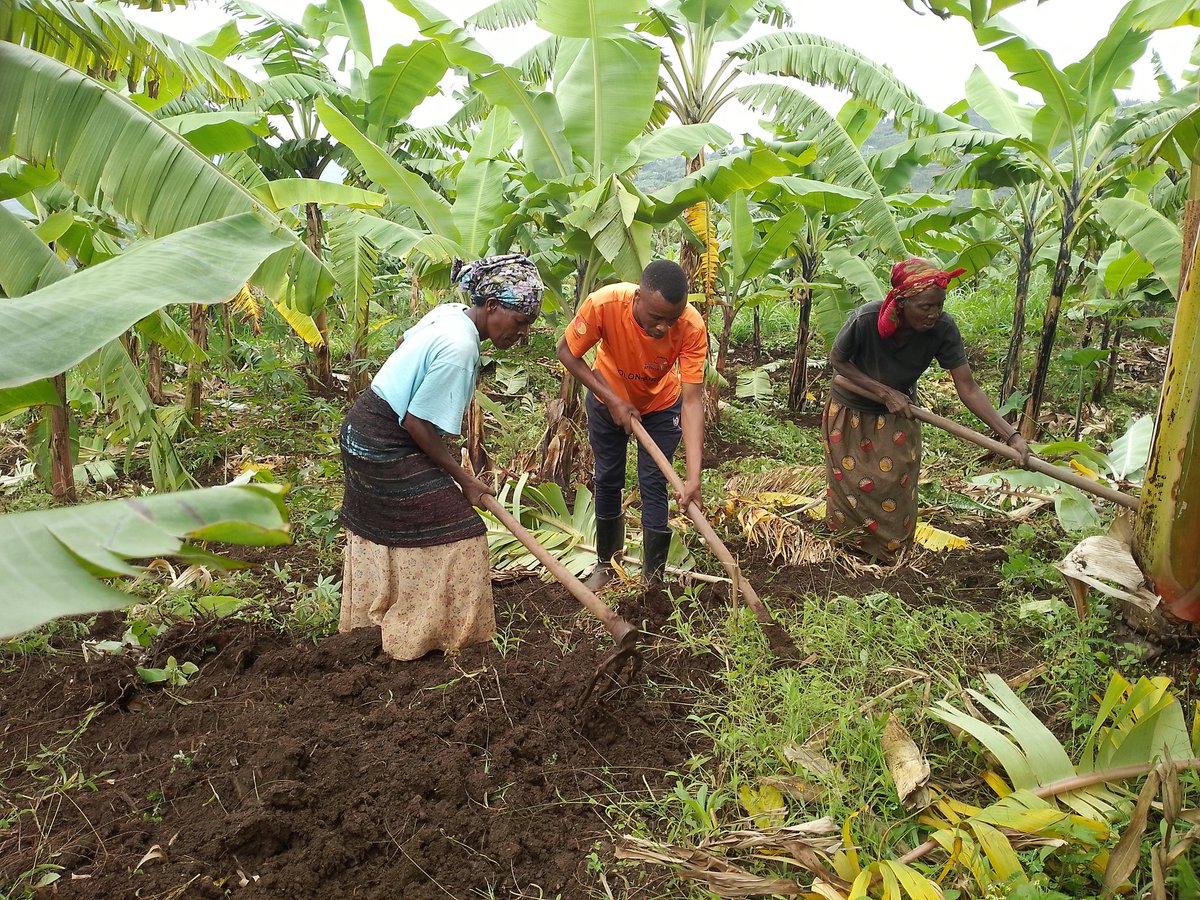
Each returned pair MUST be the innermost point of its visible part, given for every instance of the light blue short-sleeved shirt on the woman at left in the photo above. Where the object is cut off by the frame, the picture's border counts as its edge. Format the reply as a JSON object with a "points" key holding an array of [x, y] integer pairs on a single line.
{"points": [[433, 374]]}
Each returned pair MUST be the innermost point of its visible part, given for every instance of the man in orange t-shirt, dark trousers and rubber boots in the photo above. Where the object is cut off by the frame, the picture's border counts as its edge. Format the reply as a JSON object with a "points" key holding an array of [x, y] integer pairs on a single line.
{"points": [[651, 368]]}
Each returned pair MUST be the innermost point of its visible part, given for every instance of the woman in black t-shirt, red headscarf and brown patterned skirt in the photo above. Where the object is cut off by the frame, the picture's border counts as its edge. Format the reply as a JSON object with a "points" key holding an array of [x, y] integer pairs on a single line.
{"points": [[873, 448]]}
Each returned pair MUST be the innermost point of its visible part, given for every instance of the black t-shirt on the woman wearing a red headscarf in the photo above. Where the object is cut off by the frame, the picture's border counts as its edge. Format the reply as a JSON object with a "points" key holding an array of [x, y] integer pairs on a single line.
{"points": [[897, 367]]}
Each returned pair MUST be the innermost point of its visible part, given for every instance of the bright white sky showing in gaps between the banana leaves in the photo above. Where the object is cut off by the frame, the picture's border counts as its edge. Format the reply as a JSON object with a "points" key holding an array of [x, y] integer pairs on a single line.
{"points": [[931, 56]]}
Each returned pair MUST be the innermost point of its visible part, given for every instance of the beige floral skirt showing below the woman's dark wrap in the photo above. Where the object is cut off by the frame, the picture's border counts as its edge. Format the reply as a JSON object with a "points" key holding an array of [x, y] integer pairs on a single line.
{"points": [[422, 598]]}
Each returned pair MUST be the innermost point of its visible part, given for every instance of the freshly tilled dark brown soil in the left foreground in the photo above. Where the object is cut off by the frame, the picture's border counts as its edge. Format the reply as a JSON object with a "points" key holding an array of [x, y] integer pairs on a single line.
{"points": [[334, 771]]}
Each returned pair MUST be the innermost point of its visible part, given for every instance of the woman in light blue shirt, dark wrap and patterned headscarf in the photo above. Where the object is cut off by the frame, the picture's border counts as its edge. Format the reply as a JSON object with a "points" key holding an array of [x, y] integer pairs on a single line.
{"points": [[417, 554]]}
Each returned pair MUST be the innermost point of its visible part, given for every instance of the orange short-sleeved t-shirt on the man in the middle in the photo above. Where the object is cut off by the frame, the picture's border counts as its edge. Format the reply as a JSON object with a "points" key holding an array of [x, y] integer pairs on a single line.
{"points": [[637, 365]]}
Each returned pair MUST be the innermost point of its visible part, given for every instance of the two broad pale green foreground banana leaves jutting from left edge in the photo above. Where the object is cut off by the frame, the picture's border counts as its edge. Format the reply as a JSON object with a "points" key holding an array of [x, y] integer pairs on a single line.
{"points": [[58, 555]]}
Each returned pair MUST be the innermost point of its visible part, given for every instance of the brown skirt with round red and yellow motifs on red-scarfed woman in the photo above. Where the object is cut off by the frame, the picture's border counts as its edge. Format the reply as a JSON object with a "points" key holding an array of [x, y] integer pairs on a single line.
{"points": [[873, 461]]}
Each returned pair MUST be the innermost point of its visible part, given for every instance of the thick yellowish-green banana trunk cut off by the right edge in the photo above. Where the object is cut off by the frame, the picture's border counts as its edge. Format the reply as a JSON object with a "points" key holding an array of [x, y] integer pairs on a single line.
{"points": [[1167, 531]]}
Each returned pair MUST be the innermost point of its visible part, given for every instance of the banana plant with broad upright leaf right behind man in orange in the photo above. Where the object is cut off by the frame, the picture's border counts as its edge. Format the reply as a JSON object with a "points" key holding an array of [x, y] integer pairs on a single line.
{"points": [[581, 142]]}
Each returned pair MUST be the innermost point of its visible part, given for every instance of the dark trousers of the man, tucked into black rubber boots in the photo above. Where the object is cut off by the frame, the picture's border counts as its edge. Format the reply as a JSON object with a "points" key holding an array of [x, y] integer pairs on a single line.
{"points": [[609, 442]]}
